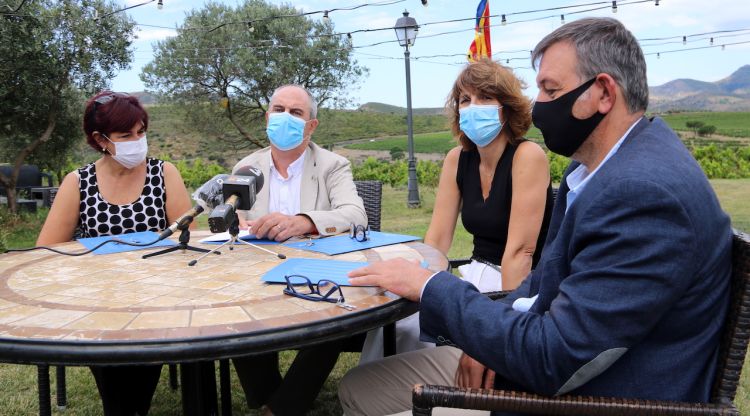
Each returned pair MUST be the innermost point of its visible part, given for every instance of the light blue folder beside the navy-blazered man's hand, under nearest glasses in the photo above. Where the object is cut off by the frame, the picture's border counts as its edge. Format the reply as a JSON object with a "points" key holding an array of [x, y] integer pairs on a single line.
{"points": [[313, 269]]}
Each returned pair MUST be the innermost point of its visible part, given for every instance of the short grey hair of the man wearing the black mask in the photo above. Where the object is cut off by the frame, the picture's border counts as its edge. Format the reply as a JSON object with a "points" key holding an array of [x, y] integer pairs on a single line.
{"points": [[604, 45]]}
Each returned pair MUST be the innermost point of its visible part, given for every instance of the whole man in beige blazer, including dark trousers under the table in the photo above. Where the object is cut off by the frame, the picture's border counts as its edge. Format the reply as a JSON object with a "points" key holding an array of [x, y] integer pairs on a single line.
{"points": [[308, 190]]}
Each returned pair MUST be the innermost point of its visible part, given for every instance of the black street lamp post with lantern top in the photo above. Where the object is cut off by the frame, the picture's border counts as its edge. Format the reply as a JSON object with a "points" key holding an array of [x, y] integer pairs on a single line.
{"points": [[406, 32]]}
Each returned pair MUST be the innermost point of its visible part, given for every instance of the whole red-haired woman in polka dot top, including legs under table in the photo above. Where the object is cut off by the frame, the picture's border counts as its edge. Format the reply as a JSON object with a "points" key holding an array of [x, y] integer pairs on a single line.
{"points": [[122, 192]]}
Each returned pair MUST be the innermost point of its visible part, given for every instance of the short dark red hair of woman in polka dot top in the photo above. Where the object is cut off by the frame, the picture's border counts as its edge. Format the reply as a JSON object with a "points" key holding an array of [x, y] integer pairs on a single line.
{"points": [[108, 112]]}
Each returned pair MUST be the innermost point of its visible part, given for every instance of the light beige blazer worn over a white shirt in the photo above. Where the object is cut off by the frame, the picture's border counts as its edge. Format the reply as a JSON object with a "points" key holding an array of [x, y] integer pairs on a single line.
{"points": [[327, 195]]}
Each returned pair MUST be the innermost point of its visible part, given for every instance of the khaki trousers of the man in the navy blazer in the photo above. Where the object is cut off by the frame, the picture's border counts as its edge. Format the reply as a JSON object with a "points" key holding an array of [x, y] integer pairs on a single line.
{"points": [[384, 387]]}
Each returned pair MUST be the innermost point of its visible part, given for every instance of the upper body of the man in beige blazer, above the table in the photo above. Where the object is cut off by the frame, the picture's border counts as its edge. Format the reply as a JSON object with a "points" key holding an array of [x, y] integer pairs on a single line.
{"points": [[308, 189]]}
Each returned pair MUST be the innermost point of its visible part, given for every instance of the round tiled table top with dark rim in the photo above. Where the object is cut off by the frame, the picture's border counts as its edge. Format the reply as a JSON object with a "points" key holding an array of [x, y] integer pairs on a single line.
{"points": [[119, 308]]}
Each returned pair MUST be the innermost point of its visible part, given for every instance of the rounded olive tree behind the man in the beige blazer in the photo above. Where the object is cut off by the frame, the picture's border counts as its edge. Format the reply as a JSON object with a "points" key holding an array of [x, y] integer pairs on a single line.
{"points": [[225, 63]]}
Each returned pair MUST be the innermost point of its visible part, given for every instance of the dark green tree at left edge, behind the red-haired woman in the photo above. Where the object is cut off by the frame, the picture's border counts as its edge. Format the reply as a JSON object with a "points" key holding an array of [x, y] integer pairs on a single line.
{"points": [[52, 53]]}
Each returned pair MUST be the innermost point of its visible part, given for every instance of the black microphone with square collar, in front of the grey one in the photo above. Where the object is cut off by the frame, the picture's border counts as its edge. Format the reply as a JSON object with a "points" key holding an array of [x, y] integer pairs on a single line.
{"points": [[239, 191]]}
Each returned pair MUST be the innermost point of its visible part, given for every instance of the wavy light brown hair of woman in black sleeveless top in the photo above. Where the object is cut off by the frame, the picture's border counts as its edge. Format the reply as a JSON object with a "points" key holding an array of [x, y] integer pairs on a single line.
{"points": [[488, 77]]}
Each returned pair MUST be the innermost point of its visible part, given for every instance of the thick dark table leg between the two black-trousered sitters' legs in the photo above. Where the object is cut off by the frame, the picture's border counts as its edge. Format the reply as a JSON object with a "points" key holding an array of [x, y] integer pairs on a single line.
{"points": [[198, 382]]}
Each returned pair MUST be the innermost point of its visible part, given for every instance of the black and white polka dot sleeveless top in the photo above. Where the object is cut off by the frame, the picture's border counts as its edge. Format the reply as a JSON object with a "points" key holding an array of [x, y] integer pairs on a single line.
{"points": [[99, 218]]}
